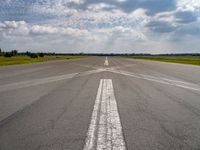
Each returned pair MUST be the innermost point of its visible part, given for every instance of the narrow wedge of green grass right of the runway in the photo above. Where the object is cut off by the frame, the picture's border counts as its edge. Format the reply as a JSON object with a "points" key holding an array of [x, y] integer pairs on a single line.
{"points": [[194, 60]]}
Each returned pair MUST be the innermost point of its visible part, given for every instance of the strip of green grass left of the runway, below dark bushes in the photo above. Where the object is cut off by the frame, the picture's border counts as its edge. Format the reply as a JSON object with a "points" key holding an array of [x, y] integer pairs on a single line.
{"points": [[26, 59]]}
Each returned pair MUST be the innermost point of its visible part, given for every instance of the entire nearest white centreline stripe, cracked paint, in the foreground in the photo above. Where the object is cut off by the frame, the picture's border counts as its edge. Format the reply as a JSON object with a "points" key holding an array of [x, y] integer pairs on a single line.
{"points": [[105, 130]]}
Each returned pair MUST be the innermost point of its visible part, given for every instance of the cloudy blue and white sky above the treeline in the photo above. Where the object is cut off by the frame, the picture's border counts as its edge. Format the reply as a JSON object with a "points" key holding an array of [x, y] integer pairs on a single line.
{"points": [[100, 26]]}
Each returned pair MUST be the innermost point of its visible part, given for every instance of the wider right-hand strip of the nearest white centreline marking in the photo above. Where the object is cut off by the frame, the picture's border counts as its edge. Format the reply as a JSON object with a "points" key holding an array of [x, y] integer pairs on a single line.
{"points": [[110, 129]]}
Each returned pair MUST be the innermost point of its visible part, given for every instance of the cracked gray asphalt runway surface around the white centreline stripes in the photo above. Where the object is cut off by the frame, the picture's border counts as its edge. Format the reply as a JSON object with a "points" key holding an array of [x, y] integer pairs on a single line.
{"points": [[48, 106]]}
